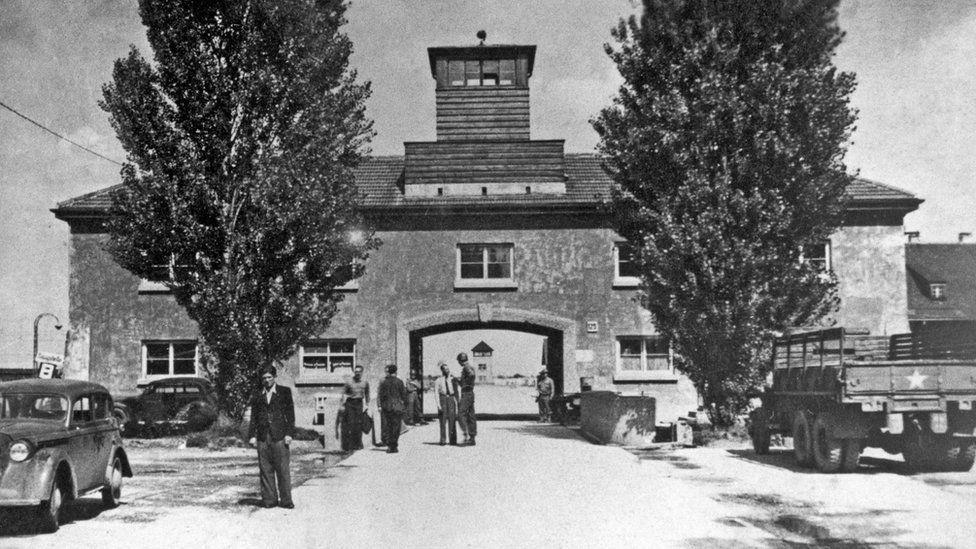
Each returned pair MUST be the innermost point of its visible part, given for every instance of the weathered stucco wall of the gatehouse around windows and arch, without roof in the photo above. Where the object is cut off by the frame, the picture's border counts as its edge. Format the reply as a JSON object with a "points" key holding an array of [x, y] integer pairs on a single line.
{"points": [[564, 276]]}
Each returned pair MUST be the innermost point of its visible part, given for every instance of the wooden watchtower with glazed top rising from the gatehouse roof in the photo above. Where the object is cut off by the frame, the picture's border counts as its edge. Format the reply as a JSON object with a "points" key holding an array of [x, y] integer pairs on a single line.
{"points": [[483, 145]]}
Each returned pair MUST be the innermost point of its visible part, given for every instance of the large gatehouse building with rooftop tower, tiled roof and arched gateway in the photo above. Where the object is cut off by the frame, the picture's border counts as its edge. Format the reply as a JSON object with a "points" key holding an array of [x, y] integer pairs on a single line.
{"points": [[481, 228]]}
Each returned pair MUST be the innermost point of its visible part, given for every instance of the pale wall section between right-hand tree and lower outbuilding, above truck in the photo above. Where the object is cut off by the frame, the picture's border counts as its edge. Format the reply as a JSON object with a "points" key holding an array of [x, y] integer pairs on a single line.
{"points": [[870, 265]]}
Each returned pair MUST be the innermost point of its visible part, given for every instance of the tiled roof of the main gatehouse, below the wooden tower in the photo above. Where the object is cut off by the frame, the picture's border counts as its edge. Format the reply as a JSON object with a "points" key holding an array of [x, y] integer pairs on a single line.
{"points": [[380, 180]]}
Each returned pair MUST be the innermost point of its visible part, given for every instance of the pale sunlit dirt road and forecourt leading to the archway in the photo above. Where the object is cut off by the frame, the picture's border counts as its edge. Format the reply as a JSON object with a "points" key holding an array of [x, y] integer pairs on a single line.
{"points": [[524, 485]]}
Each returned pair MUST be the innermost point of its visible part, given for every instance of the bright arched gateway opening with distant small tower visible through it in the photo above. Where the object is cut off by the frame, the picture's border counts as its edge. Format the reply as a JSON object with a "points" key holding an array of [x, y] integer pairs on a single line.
{"points": [[507, 358]]}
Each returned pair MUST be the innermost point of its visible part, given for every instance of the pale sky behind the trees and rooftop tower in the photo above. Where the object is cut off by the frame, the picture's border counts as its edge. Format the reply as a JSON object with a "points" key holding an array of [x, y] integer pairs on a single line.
{"points": [[915, 62]]}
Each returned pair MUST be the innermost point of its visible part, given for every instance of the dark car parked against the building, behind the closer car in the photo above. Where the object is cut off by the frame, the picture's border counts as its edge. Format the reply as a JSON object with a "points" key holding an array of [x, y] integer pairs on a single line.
{"points": [[185, 402]]}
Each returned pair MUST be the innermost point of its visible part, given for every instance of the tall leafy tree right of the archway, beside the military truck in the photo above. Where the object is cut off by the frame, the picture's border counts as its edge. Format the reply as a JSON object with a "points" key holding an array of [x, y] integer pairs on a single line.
{"points": [[726, 144]]}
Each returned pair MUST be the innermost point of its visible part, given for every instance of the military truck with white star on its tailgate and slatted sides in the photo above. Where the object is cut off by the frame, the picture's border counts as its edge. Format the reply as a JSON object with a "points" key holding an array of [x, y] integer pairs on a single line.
{"points": [[837, 391]]}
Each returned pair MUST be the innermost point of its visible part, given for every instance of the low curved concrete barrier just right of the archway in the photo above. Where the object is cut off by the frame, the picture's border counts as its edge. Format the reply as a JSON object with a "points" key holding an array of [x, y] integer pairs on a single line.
{"points": [[611, 418]]}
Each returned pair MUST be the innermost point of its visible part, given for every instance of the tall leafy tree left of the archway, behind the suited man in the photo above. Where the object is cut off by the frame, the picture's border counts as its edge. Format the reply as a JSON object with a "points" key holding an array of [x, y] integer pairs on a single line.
{"points": [[238, 193]]}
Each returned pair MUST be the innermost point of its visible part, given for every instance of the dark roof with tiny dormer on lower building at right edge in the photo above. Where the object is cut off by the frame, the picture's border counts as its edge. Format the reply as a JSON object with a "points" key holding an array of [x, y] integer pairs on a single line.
{"points": [[951, 264]]}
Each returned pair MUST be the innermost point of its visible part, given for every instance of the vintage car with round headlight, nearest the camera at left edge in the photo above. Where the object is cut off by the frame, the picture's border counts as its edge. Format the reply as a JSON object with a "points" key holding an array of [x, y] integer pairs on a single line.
{"points": [[58, 441]]}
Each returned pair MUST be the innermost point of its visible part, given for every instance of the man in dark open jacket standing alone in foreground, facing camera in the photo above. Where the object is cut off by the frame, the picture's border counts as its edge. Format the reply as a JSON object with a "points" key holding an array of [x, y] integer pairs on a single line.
{"points": [[272, 427]]}
